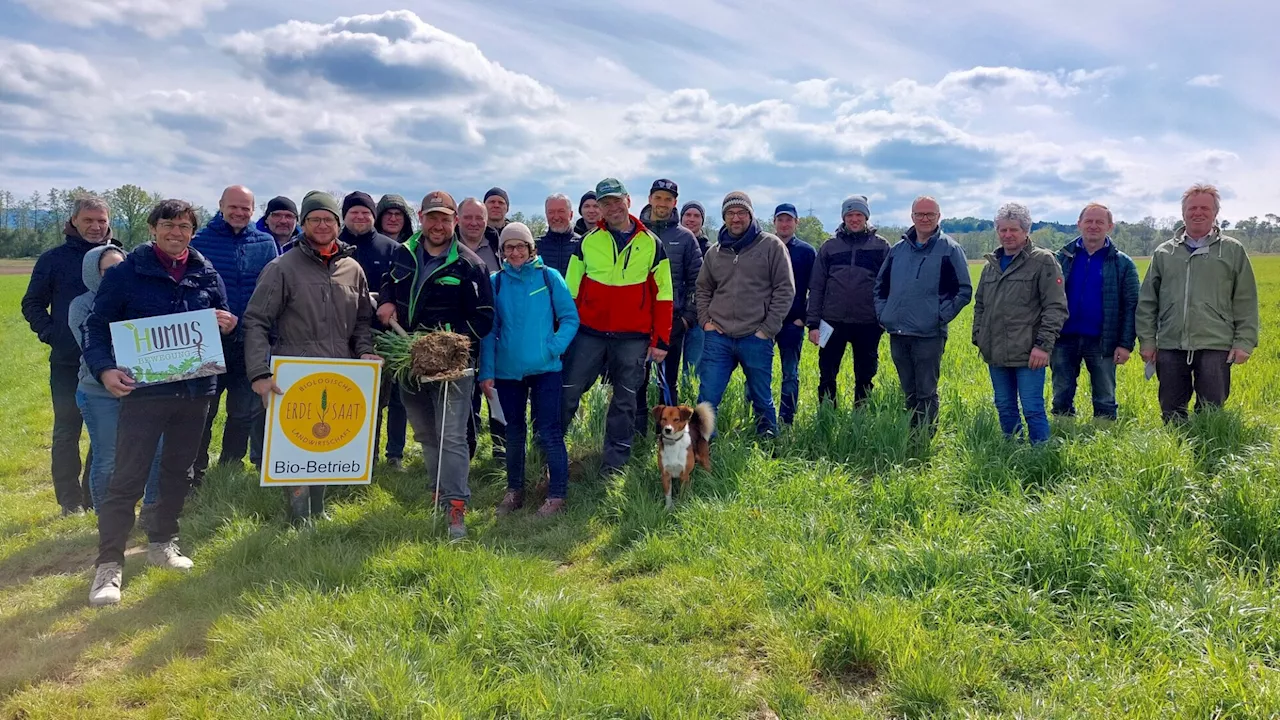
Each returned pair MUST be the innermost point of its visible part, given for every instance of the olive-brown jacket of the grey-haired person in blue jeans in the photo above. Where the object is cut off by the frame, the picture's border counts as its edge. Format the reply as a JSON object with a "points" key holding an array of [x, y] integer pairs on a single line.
{"points": [[1018, 309]]}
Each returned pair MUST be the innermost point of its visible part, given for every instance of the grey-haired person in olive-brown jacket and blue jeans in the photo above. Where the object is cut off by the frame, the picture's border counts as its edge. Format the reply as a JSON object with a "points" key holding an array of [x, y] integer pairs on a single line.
{"points": [[1018, 313]]}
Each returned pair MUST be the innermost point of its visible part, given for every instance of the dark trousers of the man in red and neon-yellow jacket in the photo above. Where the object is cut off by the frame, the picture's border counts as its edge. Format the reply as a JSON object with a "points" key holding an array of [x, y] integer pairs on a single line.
{"points": [[587, 358]]}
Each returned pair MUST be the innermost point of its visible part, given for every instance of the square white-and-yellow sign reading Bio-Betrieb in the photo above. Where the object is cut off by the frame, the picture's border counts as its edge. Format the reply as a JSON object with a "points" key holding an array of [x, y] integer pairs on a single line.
{"points": [[322, 431]]}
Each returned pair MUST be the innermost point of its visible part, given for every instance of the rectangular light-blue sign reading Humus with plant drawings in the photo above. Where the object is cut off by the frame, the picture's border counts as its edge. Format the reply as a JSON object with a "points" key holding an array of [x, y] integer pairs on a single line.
{"points": [[168, 349]]}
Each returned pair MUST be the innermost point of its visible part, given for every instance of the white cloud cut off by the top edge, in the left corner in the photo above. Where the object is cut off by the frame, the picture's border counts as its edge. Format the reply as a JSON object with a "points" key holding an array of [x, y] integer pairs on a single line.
{"points": [[156, 19]]}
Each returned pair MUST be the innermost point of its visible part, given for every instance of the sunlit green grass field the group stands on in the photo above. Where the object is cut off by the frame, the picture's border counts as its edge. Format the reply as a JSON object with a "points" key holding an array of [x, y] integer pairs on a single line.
{"points": [[1126, 571]]}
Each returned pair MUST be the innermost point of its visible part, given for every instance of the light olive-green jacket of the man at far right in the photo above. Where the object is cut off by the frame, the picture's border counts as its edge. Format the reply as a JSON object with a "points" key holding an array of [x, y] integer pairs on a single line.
{"points": [[1204, 299]]}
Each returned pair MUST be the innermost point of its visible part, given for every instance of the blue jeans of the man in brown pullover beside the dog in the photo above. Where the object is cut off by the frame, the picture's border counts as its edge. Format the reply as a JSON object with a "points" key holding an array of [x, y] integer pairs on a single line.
{"points": [[721, 354]]}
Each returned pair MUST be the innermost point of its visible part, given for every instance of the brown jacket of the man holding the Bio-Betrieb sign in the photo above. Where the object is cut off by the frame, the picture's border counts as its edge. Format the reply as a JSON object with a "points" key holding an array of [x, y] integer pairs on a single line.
{"points": [[316, 308]]}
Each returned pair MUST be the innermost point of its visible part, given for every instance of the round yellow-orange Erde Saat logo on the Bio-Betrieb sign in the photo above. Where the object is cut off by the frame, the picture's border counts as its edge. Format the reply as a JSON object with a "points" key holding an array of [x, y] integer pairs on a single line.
{"points": [[323, 413]]}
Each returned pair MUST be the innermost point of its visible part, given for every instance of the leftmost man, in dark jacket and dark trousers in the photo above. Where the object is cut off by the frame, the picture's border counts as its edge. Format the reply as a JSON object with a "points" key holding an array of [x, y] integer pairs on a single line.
{"points": [[56, 281]]}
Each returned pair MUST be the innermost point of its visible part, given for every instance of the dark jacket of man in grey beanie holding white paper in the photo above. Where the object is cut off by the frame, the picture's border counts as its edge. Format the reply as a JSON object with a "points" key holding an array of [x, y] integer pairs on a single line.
{"points": [[843, 288]]}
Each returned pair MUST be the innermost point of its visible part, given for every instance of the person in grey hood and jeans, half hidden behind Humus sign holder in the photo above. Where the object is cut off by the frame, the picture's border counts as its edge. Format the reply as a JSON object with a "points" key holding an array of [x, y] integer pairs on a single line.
{"points": [[102, 409]]}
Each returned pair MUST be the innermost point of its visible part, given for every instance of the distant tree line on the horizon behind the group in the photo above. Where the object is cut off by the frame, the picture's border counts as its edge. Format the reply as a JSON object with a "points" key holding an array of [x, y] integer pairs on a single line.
{"points": [[29, 226]]}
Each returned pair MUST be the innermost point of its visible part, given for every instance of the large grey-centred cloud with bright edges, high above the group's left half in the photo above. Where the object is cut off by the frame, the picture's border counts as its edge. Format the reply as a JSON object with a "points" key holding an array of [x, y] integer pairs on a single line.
{"points": [[392, 57]]}
